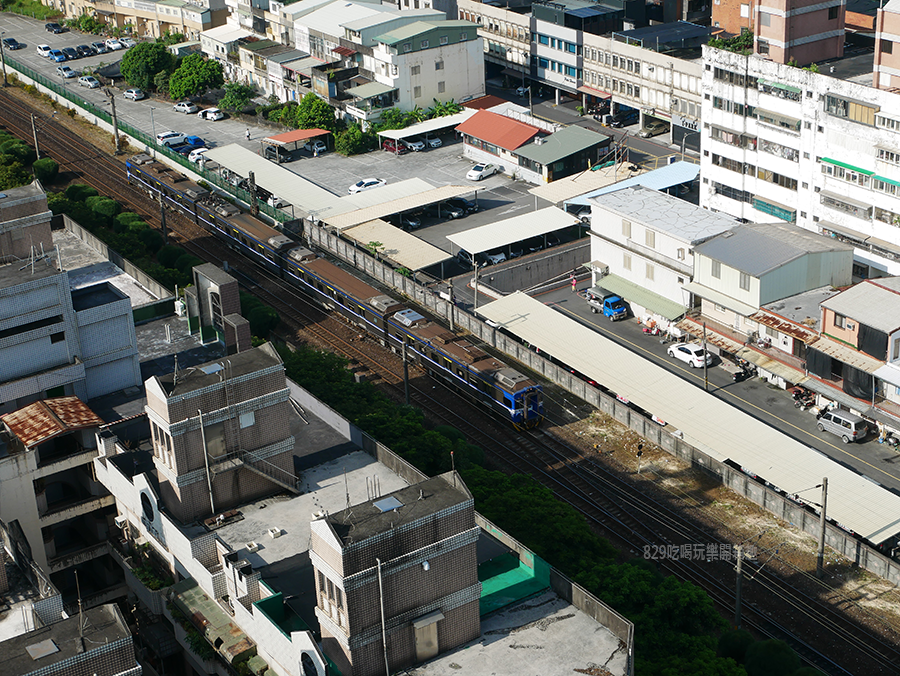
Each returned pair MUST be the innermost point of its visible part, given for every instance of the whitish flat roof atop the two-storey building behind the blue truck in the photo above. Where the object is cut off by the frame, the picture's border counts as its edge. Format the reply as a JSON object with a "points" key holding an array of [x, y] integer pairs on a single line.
{"points": [[663, 212]]}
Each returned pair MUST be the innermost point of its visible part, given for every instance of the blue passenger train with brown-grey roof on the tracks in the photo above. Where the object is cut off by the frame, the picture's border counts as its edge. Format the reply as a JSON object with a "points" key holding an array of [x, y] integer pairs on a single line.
{"points": [[469, 370]]}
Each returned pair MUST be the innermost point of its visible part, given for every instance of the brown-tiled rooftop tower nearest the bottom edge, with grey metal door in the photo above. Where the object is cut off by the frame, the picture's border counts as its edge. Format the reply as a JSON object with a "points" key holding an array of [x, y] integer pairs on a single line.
{"points": [[410, 553]]}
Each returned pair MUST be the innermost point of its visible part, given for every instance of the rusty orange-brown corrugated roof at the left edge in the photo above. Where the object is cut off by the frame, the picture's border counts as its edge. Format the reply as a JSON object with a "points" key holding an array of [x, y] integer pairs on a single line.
{"points": [[43, 420]]}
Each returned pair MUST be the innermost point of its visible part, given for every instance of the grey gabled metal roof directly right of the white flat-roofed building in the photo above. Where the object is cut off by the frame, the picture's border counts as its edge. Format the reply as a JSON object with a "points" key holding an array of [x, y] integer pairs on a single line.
{"points": [[758, 248]]}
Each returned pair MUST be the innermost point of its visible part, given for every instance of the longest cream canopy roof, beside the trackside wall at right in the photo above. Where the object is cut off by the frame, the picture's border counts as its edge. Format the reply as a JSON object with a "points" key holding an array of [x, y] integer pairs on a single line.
{"points": [[707, 422]]}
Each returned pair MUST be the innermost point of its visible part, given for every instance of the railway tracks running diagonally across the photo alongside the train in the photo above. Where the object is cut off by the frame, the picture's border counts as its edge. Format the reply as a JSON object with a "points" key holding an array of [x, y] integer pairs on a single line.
{"points": [[614, 506]]}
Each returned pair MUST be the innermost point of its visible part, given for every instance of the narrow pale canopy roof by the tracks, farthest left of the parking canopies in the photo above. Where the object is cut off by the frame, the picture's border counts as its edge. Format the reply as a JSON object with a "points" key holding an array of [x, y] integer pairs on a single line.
{"points": [[303, 194]]}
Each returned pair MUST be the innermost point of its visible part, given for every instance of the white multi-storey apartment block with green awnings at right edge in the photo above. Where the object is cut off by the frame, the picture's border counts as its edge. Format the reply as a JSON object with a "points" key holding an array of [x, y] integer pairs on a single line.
{"points": [[813, 148]]}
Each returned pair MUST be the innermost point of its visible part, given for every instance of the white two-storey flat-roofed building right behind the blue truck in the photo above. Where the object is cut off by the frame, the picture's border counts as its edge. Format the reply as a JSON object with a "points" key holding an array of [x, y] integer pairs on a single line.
{"points": [[642, 248]]}
